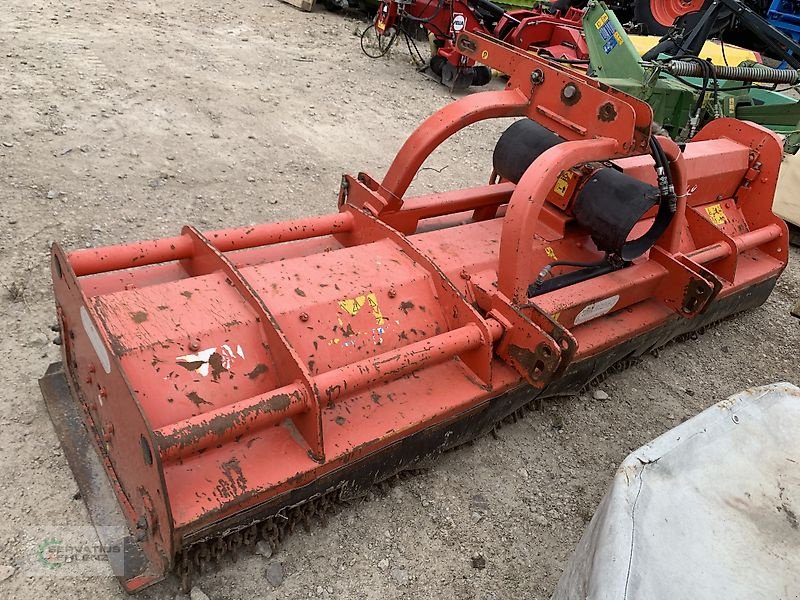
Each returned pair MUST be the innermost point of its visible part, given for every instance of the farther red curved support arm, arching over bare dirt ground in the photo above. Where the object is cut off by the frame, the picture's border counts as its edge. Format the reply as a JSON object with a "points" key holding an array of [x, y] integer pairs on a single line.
{"points": [[440, 126]]}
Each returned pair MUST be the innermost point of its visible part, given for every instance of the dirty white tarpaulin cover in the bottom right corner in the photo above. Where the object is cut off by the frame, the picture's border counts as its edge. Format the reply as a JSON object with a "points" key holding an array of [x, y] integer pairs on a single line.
{"points": [[708, 510]]}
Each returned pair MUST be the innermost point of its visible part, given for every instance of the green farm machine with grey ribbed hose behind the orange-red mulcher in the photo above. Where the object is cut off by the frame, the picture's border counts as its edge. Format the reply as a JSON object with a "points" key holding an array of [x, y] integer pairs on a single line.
{"points": [[686, 92]]}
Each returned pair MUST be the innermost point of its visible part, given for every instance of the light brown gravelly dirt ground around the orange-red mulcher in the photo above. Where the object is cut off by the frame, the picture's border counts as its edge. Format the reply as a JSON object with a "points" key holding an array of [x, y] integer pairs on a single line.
{"points": [[126, 120]]}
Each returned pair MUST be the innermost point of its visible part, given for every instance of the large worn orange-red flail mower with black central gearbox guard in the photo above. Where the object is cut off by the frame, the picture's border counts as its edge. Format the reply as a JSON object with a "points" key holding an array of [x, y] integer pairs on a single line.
{"points": [[213, 382]]}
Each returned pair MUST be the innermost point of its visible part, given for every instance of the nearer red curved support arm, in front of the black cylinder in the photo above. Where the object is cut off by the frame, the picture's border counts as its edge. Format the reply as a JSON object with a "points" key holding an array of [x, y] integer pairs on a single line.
{"points": [[526, 202]]}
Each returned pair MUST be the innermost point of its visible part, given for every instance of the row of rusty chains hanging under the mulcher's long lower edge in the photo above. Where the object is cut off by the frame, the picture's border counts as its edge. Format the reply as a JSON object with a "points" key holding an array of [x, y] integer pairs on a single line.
{"points": [[201, 556]]}
